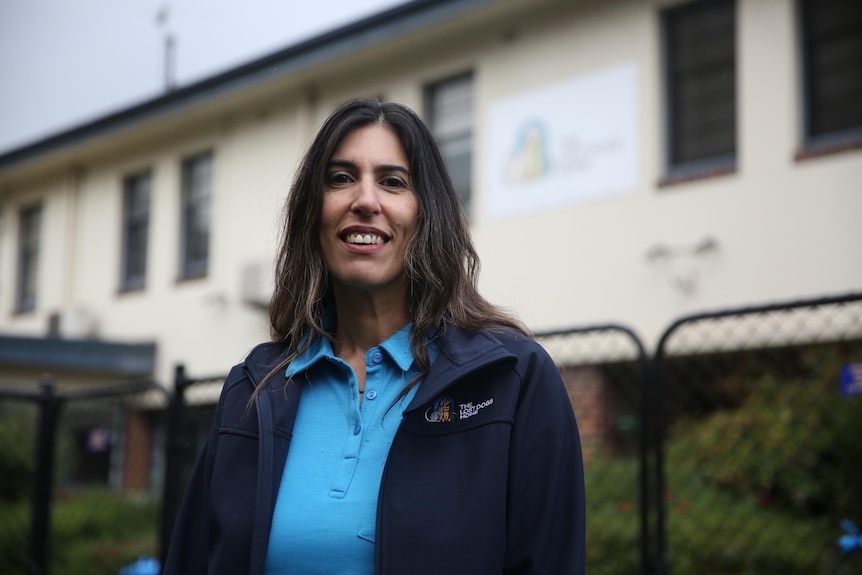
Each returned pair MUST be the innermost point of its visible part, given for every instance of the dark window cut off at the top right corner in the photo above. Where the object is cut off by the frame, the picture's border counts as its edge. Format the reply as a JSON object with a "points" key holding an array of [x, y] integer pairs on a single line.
{"points": [[832, 76]]}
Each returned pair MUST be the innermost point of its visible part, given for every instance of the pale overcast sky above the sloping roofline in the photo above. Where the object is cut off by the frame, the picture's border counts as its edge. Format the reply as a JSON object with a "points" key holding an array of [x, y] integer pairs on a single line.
{"points": [[64, 62]]}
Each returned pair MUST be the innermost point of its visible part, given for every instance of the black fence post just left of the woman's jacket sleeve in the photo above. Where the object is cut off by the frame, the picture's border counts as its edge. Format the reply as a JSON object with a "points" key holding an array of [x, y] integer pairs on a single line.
{"points": [[176, 449]]}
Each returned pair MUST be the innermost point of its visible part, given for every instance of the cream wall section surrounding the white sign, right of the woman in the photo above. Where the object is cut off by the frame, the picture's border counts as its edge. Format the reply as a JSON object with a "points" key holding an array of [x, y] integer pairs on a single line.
{"points": [[785, 229]]}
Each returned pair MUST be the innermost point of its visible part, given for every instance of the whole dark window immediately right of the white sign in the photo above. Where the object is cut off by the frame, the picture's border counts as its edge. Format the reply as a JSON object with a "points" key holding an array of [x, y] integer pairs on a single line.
{"points": [[700, 61]]}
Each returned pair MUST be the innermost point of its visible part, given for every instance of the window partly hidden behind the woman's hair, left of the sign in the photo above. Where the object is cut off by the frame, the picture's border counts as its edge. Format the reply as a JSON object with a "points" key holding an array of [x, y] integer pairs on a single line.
{"points": [[449, 109]]}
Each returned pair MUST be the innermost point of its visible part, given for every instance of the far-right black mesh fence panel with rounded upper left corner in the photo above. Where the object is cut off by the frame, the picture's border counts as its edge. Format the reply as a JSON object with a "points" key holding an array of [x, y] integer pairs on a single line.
{"points": [[761, 455]]}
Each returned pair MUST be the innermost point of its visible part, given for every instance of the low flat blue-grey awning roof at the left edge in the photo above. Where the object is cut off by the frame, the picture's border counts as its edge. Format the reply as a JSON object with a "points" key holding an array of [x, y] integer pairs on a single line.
{"points": [[82, 356]]}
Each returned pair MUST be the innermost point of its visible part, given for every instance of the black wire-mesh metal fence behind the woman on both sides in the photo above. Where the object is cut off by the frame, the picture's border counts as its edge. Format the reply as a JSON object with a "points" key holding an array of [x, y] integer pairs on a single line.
{"points": [[731, 450]]}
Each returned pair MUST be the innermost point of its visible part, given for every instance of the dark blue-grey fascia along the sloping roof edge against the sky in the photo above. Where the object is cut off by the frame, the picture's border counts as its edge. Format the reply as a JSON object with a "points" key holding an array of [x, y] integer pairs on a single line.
{"points": [[398, 21]]}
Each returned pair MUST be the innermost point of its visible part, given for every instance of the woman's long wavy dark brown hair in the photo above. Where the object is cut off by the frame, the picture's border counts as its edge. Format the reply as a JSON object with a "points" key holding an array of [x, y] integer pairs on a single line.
{"points": [[441, 263]]}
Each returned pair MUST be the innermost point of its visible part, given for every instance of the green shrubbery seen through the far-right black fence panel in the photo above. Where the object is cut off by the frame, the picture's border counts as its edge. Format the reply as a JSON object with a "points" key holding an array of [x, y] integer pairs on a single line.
{"points": [[761, 487]]}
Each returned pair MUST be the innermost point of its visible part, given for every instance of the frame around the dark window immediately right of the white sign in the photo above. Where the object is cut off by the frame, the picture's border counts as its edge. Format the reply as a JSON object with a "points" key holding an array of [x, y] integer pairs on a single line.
{"points": [[720, 164]]}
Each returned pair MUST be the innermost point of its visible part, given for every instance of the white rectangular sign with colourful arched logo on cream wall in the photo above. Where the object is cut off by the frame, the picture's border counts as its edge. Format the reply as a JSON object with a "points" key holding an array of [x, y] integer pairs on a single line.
{"points": [[569, 142]]}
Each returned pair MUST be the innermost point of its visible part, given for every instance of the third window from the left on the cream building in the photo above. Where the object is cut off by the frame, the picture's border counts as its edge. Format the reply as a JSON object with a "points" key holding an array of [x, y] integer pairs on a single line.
{"points": [[196, 198]]}
